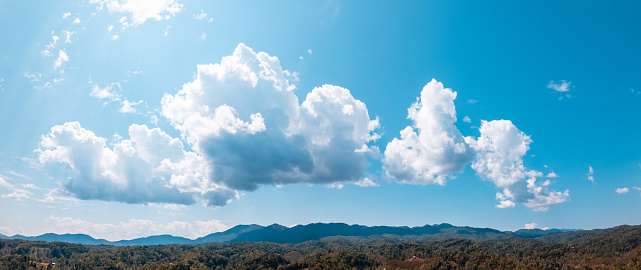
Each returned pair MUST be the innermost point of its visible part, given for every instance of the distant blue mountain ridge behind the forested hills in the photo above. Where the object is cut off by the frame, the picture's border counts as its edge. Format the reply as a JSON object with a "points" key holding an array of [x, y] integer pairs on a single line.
{"points": [[280, 234]]}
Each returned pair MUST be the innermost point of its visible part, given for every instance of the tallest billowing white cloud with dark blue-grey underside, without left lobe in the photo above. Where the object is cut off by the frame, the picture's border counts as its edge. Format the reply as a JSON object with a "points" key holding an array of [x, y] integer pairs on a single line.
{"points": [[242, 115]]}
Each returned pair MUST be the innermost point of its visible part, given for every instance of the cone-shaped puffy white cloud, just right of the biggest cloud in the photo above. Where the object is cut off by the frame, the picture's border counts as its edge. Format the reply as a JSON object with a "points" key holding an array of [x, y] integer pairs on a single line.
{"points": [[437, 150]]}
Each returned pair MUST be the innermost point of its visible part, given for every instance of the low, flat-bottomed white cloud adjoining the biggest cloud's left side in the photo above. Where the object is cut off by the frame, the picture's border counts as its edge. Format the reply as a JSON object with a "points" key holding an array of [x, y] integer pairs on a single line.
{"points": [[149, 167]]}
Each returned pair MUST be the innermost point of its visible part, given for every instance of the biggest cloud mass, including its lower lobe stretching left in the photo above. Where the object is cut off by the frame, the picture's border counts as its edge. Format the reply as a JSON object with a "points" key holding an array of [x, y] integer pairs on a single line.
{"points": [[246, 128]]}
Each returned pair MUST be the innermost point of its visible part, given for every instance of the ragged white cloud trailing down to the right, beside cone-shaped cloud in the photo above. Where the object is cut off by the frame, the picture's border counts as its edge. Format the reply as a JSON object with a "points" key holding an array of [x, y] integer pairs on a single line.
{"points": [[500, 150]]}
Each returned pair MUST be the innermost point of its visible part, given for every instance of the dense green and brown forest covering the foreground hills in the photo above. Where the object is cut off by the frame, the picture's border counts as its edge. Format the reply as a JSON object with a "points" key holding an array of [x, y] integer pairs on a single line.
{"points": [[616, 248]]}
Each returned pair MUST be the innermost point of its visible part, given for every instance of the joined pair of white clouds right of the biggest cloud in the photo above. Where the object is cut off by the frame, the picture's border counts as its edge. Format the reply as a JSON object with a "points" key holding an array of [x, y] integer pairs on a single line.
{"points": [[433, 148]]}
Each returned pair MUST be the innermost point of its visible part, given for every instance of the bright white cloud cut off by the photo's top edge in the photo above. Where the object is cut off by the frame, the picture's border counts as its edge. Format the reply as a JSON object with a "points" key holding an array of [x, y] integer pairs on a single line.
{"points": [[140, 11]]}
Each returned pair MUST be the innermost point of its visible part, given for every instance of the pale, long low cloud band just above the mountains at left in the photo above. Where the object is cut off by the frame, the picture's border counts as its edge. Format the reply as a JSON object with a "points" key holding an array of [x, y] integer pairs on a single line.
{"points": [[134, 228]]}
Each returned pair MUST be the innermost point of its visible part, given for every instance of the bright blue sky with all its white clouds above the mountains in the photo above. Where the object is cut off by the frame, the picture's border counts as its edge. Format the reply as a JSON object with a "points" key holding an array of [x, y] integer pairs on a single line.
{"points": [[129, 118]]}
